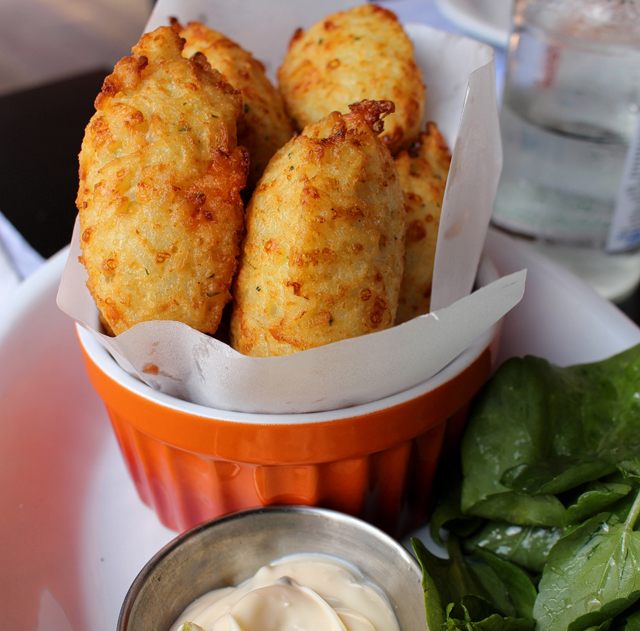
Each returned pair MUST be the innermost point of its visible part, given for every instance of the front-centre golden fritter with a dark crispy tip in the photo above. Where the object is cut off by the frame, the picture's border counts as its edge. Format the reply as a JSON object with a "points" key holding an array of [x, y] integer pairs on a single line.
{"points": [[323, 256]]}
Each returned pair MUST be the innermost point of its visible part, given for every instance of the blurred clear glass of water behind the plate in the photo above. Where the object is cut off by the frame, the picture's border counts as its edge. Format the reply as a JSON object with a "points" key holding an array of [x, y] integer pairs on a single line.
{"points": [[569, 123]]}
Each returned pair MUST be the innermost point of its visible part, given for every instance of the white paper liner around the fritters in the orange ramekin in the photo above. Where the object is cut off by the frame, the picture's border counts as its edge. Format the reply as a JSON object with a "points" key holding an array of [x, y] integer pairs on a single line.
{"points": [[182, 362]]}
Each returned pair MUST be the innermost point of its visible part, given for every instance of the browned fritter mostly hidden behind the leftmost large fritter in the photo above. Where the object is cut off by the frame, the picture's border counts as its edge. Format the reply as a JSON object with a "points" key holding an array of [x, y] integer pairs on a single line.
{"points": [[265, 126]]}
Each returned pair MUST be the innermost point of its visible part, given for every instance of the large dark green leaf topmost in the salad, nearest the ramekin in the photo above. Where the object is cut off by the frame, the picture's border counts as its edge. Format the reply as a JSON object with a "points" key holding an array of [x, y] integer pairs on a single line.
{"points": [[533, 417]]}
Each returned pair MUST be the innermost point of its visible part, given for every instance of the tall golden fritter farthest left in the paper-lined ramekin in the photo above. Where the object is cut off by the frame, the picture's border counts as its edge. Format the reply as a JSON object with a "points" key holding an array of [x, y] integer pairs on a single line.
{"points": [[160, 175]]}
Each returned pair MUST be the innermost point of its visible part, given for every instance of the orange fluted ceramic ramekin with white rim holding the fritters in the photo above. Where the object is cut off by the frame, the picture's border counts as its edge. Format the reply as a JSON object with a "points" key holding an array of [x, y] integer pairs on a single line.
{"points": [[375, 461]]}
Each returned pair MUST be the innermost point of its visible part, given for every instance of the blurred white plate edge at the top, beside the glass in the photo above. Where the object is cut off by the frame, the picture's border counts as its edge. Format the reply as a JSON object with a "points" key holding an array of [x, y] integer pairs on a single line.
{"points": [[488, 20]]}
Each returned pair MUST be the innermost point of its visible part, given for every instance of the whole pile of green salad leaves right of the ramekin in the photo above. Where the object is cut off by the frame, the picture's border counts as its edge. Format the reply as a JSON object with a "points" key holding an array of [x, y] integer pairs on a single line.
{"points": [[541, 525]]}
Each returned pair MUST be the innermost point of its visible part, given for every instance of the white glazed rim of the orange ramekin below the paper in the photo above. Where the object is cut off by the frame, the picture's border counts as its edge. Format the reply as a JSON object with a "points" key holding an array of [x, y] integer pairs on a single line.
{"points": [[101, 357]]}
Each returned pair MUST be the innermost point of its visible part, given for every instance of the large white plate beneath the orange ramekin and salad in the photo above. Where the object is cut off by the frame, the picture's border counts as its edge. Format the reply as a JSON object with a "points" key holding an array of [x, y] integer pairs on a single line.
{"points": [[74, 534]]}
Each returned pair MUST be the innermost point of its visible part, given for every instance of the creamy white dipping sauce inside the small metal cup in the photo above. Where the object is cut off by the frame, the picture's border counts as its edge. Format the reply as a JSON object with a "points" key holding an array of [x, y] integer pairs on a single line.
{"points": [[302, 592]]}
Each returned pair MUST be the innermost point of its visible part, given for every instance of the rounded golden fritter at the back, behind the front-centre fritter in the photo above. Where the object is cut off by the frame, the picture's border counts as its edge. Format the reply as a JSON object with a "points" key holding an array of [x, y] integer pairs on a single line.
{"points": [[359, 54]]}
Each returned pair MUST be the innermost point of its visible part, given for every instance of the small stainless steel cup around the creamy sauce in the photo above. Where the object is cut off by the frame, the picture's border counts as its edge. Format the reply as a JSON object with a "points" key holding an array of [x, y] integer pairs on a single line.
{"points": [[229, 550]]}
